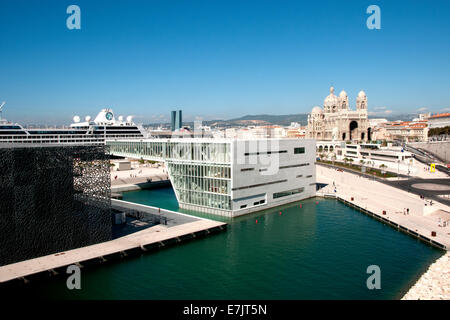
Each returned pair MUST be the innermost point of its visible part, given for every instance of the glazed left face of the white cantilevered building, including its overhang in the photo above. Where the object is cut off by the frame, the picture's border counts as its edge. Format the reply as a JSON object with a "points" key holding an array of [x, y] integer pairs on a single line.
{"points": [[199, 171]]}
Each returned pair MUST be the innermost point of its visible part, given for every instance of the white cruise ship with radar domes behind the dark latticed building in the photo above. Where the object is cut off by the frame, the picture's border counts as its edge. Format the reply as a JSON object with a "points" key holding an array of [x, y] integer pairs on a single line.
{"points": [[104, 126]]}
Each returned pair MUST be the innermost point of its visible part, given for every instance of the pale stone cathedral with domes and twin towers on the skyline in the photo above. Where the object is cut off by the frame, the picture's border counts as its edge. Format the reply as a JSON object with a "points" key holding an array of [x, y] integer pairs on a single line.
{"points": [[337, 122]]}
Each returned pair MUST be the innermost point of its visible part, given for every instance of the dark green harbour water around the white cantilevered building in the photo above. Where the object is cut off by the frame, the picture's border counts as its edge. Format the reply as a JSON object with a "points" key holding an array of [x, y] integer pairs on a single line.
{"points": [[319, 251]]}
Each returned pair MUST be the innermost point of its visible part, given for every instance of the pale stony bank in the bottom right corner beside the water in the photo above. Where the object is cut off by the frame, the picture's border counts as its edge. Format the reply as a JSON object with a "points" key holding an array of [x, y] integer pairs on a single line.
{"points": [[433, 284]]}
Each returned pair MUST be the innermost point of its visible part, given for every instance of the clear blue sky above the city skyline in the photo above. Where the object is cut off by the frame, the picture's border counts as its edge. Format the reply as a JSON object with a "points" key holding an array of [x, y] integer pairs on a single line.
{"points": [[219, 59]]}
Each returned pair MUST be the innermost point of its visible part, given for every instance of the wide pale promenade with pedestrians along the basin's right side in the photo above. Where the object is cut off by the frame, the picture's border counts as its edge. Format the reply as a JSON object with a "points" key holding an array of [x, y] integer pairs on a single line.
{"points": [[377, 197]]}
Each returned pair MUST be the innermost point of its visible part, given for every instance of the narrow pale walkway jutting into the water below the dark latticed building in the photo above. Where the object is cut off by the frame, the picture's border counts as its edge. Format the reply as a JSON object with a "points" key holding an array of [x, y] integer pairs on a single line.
{"points": [[140, 241]]}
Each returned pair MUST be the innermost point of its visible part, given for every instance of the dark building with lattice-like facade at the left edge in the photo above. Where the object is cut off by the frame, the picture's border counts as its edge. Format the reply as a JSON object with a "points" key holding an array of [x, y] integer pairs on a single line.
{"points": [[52, 199]]}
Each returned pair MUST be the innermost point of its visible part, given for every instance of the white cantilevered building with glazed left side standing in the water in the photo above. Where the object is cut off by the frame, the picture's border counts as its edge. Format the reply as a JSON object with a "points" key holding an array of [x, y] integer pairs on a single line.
{"points": [[230, 177]]}
